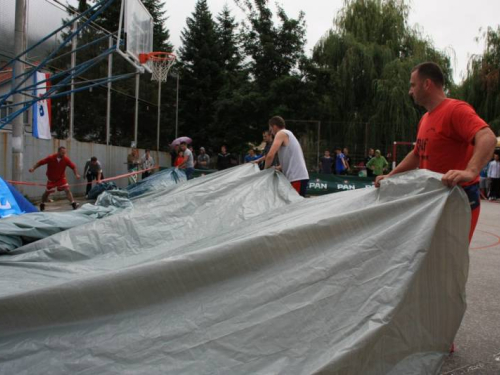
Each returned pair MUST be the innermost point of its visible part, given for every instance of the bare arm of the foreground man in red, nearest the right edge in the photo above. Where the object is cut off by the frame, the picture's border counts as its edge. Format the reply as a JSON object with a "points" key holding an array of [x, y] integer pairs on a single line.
{"points": [[484, 146]]}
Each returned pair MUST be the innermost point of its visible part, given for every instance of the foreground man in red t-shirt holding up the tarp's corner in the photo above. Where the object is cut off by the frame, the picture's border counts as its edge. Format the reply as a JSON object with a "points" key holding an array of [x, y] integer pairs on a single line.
{"points": [[452, 139]]}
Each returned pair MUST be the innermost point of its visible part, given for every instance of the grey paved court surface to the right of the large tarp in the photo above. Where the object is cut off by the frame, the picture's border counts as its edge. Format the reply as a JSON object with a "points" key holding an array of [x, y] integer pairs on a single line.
{"points": [[478, 340]]}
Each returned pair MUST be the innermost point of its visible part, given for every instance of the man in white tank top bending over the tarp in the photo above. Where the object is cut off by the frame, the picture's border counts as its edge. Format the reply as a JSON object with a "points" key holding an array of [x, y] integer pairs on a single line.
{"points": [[293, 164]]}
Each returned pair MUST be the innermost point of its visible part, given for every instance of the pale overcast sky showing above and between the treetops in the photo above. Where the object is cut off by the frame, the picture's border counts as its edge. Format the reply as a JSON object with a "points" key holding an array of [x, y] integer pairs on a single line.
{"points": [[453, 25]]}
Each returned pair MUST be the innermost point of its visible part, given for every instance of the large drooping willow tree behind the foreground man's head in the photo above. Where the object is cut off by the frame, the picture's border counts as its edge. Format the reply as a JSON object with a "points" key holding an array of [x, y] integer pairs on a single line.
{"points": [[363, 67]]}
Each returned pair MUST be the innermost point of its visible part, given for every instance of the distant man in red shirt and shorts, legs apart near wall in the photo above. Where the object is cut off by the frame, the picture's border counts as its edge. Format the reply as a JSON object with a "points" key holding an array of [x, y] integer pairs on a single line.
{"points": [[56, 175]]}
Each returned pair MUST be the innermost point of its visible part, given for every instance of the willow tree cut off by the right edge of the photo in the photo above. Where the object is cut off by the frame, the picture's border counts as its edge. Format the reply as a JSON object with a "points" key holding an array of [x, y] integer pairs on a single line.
{"points": [[481, 88]]}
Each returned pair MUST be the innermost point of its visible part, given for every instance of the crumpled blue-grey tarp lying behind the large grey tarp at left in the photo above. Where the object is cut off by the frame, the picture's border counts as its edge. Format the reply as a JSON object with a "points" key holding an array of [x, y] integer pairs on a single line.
{"points": [[16, 231]]}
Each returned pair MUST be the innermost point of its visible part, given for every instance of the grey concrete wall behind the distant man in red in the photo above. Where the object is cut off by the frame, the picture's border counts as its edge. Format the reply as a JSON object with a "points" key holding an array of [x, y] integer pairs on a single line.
{"points": [[113, 160]]}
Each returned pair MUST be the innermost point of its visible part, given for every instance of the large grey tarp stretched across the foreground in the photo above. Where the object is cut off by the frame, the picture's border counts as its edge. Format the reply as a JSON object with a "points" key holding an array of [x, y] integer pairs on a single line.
{"points": [[234, 273]]}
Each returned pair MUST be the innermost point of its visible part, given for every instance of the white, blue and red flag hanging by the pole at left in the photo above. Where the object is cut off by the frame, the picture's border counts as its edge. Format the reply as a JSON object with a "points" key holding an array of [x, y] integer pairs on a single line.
{"points": [[41, 109]]}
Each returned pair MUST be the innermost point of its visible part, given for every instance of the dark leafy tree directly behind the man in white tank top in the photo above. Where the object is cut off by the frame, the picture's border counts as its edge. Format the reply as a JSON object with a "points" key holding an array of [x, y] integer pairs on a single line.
{"points": [[274, 45]]}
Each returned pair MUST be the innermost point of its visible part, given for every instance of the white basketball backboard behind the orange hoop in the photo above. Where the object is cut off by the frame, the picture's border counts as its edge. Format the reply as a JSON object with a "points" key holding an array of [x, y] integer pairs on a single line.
{"points": [[138, 28]]}
